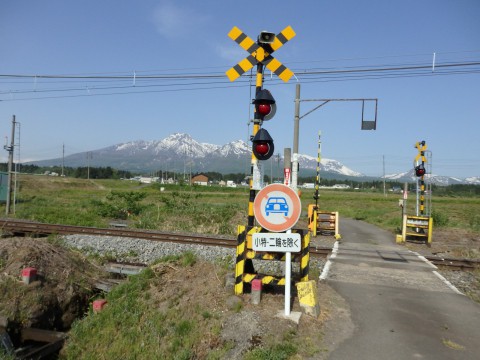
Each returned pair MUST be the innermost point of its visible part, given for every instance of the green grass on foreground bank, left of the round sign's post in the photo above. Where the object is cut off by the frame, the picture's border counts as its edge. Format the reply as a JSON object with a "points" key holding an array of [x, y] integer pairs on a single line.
{"points": [[134, 323]]}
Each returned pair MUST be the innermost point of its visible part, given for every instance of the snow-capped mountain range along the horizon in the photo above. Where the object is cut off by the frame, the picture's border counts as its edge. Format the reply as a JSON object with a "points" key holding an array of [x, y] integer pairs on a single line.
{"points": [[180, 152]]}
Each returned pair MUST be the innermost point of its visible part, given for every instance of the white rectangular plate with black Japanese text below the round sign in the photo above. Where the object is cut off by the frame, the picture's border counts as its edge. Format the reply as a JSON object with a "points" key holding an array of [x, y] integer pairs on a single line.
{"points": [[276, 242]]}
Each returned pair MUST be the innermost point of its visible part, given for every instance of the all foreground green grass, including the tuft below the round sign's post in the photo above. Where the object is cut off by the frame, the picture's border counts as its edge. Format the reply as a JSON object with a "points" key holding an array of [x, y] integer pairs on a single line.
{"points": [[135, 324]]}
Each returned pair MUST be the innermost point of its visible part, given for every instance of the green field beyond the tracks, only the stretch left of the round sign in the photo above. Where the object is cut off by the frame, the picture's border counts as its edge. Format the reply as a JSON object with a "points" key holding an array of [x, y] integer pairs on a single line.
{"points": [[84, 203]]}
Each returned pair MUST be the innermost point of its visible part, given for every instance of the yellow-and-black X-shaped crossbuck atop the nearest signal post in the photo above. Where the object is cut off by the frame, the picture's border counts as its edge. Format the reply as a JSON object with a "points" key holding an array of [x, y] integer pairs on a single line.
{"points": [[260, 52]]}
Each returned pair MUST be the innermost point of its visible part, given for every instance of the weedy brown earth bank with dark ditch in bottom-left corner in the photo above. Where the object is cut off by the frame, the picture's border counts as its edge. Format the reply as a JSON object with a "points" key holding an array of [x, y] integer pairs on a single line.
{"points": [[36, 313]]}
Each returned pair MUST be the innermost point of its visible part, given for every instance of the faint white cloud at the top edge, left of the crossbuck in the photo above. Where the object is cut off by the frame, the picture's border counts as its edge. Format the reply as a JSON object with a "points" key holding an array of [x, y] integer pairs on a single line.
{"points": [[173, 21]]}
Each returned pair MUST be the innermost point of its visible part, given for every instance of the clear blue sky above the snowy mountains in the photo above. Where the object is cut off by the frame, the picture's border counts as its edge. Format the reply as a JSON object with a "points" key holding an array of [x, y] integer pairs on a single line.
{"points": [[440, 105]]}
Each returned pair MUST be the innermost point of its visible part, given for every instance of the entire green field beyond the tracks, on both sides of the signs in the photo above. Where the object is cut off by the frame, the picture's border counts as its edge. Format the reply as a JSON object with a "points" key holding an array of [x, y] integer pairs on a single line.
{"points": [[213, 209]]}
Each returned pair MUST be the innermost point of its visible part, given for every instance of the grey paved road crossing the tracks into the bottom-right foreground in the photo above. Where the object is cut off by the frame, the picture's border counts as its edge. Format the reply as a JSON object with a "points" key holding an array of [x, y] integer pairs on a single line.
{"points": [[399, 307]]}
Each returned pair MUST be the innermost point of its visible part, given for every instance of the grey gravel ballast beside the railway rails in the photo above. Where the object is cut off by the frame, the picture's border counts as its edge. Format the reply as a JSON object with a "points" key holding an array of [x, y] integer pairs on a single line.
{"points": [[146, 252]]}
